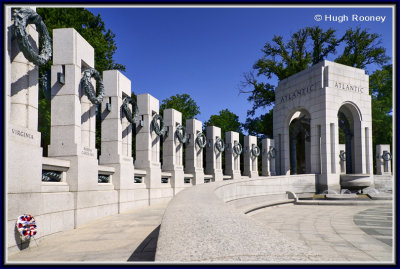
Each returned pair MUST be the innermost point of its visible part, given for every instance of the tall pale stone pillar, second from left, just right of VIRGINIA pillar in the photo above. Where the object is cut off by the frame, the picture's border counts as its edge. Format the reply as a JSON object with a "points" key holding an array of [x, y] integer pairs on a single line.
{"points": [[73, 128]]}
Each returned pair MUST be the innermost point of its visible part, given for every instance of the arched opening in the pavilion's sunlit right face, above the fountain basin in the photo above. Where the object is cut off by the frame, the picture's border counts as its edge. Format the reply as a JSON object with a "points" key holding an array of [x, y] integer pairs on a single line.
{"points": [[349, 123]]}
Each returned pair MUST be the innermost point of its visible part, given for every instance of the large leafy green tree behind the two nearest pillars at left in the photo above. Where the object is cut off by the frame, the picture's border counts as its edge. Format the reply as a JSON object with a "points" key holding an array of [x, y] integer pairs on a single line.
{"points": [[91, 28]]}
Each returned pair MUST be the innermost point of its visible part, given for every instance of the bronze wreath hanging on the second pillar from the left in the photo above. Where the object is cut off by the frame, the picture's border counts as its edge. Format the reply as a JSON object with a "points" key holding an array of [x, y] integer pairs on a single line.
{"points": [[88, 87]]}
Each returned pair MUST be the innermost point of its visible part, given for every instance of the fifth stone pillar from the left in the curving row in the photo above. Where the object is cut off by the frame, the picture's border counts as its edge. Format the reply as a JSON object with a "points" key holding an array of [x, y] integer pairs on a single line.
{"points": [[173, 150]]}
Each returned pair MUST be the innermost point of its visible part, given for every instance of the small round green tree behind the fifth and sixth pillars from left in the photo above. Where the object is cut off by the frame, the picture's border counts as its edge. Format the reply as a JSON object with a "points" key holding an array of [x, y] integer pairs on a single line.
{"points": [[183, 103]]}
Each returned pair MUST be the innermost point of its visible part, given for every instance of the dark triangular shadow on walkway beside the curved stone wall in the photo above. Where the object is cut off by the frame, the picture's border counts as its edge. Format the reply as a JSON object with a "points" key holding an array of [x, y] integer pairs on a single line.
{"points": [[146, 251]]}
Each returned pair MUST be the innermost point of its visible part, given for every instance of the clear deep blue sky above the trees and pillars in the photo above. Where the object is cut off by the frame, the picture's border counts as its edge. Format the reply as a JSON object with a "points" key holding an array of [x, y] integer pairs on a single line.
{"points": [[205, 51]]}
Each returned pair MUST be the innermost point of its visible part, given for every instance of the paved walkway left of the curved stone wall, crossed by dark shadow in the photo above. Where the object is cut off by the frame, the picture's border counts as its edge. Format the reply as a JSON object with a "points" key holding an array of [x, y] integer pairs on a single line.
{"points": [[130, 236]]}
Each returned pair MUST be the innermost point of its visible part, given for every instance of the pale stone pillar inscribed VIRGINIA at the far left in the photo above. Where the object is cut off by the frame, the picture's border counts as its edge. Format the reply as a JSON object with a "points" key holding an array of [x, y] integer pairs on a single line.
{"points": [[23, 138]]}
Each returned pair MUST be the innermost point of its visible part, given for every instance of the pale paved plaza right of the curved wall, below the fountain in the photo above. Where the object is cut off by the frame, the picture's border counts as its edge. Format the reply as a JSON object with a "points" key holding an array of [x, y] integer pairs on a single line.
{"points": [[338, 233]]}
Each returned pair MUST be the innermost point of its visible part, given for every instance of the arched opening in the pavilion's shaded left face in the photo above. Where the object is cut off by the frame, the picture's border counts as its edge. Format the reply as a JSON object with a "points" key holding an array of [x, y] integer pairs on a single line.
{"points": [[299, 140]]}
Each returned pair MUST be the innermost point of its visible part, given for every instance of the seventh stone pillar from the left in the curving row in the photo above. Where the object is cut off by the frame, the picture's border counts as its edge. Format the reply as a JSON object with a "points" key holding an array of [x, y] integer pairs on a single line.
{"points": [[213, 156]]}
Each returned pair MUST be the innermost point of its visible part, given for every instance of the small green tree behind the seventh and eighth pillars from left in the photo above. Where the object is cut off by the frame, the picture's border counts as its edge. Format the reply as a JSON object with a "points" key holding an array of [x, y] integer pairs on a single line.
{"points": [[226, 120]]}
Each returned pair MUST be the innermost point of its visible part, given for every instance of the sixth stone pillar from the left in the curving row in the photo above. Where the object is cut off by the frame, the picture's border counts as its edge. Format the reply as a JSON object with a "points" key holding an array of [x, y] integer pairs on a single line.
{"points": [[193, 153]]}
